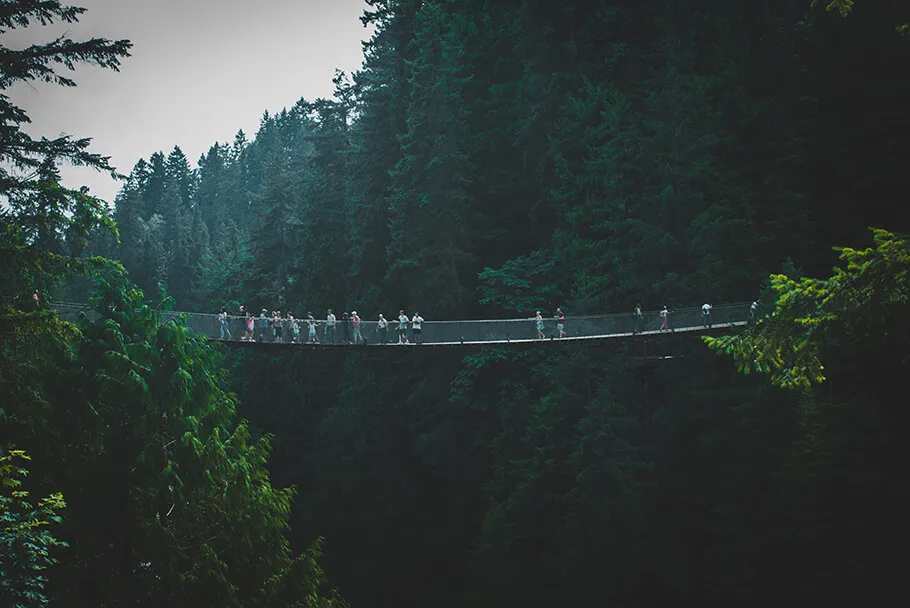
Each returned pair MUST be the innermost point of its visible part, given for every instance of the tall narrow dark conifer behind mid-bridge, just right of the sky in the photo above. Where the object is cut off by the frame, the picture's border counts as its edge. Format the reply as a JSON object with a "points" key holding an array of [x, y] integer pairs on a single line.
{"points": [[430, 212]]}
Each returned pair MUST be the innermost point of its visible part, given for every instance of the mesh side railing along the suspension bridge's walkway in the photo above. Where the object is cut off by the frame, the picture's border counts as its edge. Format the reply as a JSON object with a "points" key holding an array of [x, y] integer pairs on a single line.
{"points": [[456, 332]]}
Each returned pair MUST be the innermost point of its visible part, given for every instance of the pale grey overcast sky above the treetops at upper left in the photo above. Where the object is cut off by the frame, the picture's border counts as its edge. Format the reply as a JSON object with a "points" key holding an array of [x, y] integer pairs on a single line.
{"points": [[200, 70]]}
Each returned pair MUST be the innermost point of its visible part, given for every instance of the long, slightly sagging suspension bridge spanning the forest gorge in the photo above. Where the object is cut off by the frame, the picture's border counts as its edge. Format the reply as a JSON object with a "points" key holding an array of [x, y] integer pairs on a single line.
{"points": [[586, 328]]}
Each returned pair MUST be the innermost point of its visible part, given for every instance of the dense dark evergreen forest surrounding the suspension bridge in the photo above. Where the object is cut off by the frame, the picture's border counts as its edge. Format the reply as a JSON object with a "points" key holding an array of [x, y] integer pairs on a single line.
{"points": [[488, 159]]}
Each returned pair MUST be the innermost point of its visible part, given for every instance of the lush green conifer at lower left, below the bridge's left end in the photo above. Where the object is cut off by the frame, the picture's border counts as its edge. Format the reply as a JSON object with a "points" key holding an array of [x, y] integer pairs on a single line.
{"points": [[184, 511]]}
